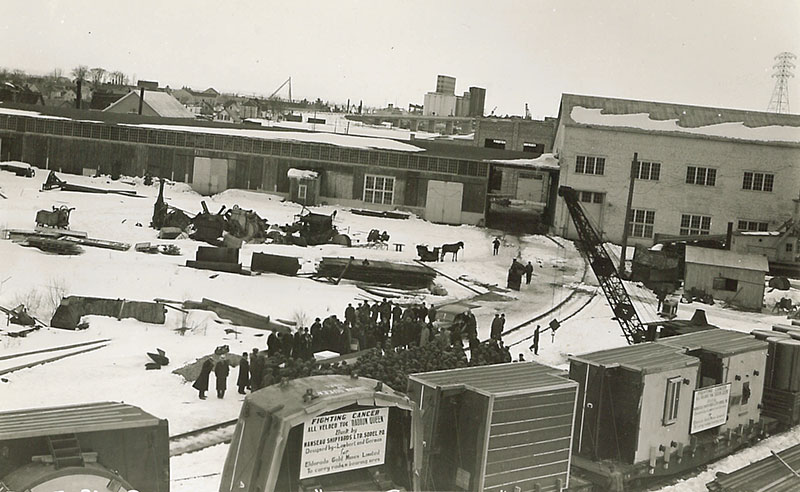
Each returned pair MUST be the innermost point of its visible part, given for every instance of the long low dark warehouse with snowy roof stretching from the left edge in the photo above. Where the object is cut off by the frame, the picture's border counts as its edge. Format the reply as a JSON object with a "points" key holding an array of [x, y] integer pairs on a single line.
{"points": [[354, 171]]}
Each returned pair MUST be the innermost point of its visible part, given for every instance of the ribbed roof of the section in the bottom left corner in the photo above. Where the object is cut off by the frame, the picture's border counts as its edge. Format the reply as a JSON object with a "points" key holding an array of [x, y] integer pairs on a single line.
{"points": [[91, 417]]}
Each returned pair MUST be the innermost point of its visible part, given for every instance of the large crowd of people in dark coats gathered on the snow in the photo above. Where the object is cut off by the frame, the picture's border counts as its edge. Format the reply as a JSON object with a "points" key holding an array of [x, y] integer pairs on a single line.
{"points": [[404, 340]]}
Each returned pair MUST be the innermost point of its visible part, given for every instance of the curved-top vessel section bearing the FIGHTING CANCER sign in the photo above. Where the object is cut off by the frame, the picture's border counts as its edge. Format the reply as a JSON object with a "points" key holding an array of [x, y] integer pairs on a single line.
{"points": [[321, 433]]}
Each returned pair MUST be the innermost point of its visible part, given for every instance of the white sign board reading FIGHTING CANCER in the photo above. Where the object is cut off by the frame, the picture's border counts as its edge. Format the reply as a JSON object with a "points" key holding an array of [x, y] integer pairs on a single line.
{"points": [[344, 441]]}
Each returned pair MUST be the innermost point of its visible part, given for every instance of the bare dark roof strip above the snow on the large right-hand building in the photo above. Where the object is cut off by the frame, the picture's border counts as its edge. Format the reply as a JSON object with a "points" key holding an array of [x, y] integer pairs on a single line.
{"points": [[688, 116]]}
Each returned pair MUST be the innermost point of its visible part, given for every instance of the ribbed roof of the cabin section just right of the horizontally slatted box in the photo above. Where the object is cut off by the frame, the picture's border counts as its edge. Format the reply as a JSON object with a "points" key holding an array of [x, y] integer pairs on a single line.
{"points": [[645, 357]]}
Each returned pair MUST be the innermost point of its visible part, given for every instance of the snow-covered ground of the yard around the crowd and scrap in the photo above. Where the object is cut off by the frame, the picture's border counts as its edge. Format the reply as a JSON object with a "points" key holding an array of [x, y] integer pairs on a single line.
{"points": [[561, 289]]}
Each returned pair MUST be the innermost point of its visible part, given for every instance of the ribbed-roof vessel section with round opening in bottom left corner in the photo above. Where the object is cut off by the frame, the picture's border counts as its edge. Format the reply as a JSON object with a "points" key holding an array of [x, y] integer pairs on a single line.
{"points": [[98, 446]]}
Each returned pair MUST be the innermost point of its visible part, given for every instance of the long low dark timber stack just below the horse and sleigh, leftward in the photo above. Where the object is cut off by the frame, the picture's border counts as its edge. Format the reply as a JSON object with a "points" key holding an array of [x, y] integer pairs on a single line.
{"points": [[378, 272]]}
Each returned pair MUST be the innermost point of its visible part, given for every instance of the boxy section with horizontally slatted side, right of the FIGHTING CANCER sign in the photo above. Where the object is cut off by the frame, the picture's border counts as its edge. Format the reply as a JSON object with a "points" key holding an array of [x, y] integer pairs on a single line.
{"points": [[498, 428]]}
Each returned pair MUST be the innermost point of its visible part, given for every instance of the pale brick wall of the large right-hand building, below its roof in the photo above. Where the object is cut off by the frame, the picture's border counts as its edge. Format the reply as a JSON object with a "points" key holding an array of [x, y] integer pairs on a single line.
{"points": [[671, 196]]}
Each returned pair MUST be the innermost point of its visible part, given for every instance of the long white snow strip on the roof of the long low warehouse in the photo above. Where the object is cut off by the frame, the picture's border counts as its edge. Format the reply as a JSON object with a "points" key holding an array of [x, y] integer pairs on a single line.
{"points": [[322, 138]]}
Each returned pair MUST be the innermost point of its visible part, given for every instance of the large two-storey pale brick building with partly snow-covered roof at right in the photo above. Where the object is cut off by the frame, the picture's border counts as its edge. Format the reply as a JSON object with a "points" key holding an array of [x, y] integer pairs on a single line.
{"points": [[700, 167]]}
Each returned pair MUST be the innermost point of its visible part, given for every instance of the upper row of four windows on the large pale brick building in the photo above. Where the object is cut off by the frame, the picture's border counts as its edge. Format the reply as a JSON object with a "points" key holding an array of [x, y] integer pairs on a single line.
{"points": [[703, 176]]}
